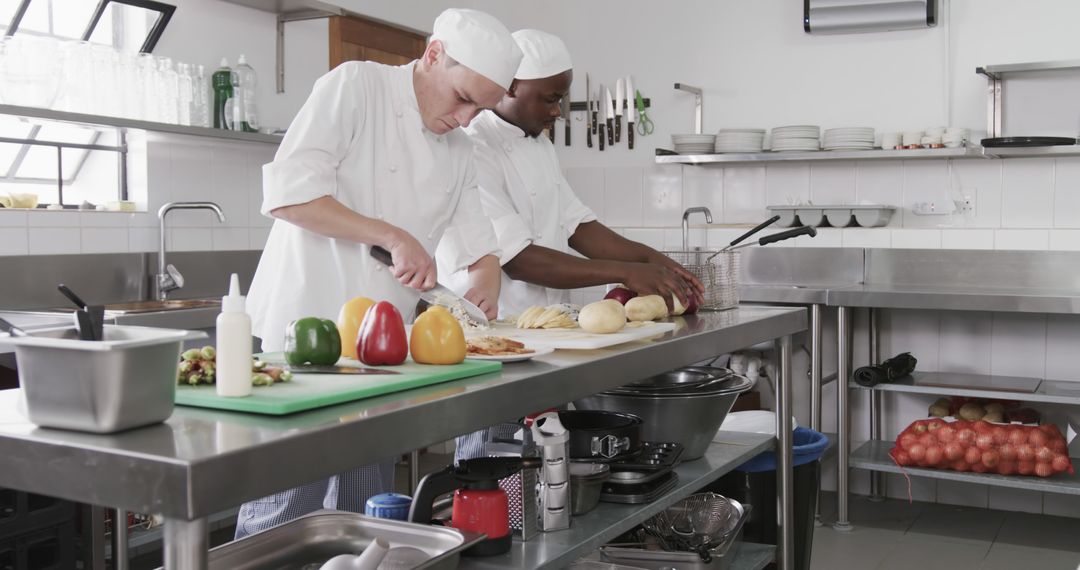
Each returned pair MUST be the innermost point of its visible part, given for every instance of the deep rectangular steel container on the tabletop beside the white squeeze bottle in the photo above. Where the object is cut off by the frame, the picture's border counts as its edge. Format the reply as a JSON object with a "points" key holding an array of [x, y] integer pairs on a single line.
{"points": [[125, 382]]}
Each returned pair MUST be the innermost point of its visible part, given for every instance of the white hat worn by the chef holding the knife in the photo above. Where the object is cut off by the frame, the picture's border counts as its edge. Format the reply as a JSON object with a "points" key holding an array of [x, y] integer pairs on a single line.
{"points": [[480, 43]]}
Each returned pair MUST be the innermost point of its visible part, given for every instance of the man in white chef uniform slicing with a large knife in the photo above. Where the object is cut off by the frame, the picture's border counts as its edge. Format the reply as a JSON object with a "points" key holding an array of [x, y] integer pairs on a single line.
{"points": [[375, 158]]}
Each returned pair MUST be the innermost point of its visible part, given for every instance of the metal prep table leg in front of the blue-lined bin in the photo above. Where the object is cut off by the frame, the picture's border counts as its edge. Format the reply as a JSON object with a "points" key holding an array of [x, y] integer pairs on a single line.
{"points": [[786, 508]]}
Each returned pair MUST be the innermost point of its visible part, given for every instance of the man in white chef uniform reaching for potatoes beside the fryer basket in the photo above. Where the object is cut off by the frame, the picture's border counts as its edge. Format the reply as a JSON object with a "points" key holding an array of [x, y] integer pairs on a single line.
{"points": [[537, 218]]}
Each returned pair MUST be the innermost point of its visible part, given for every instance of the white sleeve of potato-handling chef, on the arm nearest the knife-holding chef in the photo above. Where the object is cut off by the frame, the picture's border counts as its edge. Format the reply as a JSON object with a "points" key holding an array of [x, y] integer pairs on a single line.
{"points": [[511, 230]]}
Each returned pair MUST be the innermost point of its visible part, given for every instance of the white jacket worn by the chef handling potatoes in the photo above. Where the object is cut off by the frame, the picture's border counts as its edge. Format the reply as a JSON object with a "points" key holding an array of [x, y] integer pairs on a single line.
{"points": [[530, 202]]}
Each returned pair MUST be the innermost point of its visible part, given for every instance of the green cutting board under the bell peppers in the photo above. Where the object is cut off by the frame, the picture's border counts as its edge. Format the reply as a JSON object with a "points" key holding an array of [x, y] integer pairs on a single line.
{"points": [[307, 391]]}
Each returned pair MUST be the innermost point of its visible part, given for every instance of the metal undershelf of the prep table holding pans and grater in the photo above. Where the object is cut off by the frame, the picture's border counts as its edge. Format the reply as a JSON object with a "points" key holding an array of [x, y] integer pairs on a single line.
{"points": [[609, 521]]}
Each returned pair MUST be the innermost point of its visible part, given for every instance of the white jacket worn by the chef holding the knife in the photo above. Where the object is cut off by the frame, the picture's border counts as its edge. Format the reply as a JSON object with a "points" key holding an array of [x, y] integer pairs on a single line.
{"points": [[360, 139]]}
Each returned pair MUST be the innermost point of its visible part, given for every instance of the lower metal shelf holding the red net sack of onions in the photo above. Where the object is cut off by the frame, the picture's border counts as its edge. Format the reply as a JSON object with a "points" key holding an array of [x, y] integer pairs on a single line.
{"points": [[874, 456]]}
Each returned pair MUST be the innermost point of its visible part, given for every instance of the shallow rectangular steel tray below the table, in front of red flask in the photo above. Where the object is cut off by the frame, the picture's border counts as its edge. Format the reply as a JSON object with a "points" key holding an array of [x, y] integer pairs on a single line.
{"points": [[306, 544]]}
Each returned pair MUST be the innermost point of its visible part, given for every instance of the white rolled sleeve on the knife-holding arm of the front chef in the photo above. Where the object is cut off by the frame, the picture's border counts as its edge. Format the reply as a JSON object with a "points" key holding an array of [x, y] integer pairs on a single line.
{"points": [[305, 168]]}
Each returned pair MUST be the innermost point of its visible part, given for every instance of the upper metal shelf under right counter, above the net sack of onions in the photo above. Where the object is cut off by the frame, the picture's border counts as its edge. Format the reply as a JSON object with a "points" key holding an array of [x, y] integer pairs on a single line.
{"points": [[1048, 391]]}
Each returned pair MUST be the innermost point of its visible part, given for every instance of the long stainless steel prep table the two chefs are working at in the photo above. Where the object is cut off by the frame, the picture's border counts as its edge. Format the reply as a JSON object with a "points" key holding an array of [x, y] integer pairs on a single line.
{"points": [[202, 462]]}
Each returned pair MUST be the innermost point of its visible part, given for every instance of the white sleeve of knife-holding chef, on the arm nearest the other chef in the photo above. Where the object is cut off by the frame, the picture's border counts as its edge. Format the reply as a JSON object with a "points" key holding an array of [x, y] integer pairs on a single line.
{"points": [[469, 236]]}
